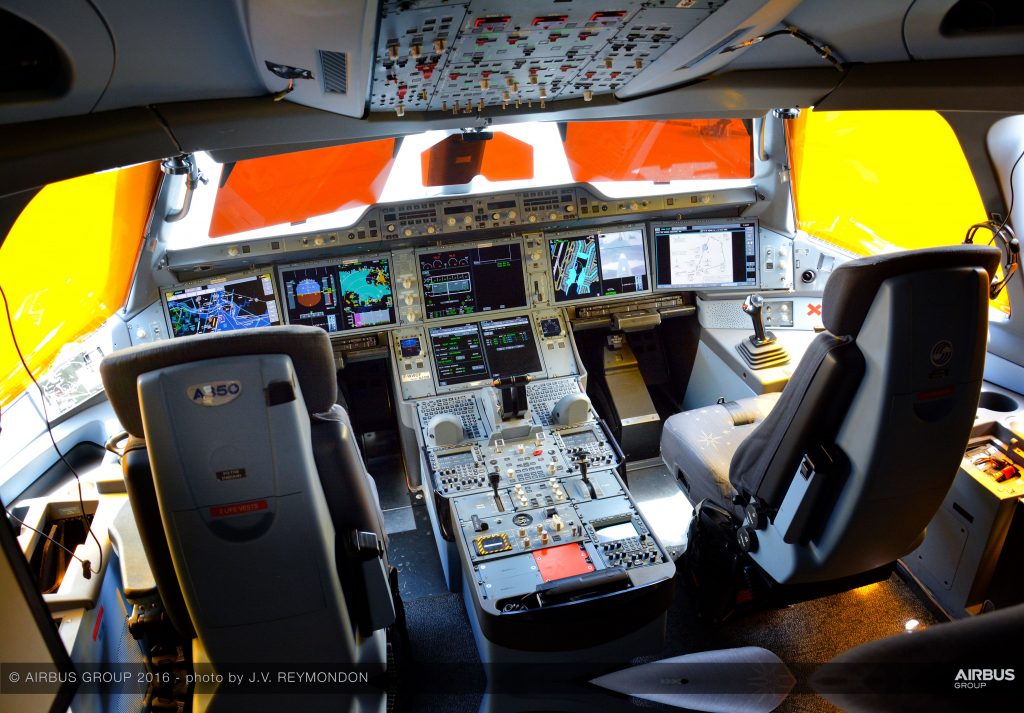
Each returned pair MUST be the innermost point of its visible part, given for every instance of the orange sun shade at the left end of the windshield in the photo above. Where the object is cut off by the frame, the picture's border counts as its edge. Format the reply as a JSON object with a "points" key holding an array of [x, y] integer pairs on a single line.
{"points": [[291, 188]]}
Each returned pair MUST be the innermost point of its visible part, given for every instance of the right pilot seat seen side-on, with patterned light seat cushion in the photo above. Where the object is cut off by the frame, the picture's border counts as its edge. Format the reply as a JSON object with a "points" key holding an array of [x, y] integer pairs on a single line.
{"points": [[837, 478]]}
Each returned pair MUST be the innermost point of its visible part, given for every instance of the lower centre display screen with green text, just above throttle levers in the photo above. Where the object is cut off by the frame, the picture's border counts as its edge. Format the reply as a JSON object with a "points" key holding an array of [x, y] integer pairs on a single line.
{"points": [[485, 351]]}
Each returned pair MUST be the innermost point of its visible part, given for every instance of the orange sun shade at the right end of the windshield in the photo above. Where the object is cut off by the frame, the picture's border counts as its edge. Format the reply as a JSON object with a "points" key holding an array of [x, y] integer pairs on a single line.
{"points": [[660, 151]]}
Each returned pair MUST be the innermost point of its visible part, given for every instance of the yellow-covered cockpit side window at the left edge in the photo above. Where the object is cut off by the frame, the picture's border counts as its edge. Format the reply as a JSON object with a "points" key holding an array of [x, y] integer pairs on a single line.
{"points": [[66, 267]]}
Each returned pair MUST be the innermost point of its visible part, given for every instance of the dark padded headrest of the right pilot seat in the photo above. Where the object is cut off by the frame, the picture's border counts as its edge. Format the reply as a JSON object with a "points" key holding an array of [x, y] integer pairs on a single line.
{"points": [[852, 287]]}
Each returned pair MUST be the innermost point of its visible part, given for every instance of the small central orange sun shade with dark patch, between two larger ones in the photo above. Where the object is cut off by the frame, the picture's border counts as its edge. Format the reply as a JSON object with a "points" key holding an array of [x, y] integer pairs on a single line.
{"points": [[456, 161]]}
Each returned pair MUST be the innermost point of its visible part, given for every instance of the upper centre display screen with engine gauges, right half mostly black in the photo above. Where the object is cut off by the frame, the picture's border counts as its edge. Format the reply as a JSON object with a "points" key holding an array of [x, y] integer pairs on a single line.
{"points": [[473, 281]]}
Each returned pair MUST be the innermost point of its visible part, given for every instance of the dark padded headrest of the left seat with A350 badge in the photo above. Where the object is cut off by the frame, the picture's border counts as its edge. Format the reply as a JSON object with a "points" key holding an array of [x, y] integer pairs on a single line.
{"points": [[309, 348]]}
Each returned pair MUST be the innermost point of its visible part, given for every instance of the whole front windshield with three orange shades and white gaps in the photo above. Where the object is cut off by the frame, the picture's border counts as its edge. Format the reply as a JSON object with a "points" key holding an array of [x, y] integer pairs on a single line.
{"points": [[331, 188]]}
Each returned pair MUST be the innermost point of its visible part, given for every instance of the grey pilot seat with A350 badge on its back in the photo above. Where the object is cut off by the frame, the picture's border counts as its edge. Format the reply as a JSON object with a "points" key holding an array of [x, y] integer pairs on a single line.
{"points": [[258, 515]]}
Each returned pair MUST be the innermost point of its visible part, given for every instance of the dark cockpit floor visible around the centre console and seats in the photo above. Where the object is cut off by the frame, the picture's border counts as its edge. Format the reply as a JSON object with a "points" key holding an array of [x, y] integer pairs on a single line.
{"points": [[804, 636]]}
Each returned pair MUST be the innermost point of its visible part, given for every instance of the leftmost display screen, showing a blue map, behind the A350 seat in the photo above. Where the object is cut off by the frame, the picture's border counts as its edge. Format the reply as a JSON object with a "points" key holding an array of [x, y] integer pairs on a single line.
{"points": [[223, 306]]}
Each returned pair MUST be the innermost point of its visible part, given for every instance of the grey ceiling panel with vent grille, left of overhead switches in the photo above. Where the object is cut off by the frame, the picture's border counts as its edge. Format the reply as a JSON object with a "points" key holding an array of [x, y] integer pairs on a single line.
{"points": [[315, 53]]}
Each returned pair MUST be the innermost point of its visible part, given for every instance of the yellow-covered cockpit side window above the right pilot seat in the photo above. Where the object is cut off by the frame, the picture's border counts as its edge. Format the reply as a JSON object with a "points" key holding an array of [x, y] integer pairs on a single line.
{"points": [[874, 183]]}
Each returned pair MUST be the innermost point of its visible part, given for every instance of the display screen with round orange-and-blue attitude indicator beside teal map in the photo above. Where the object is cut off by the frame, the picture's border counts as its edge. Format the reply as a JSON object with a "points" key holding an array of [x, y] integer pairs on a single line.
{"points": [[342, 297]]}
